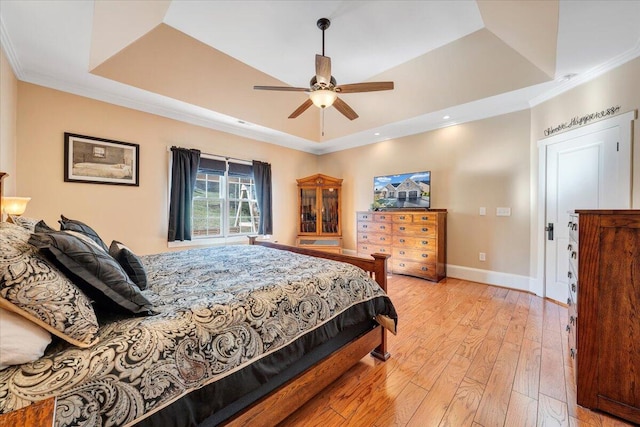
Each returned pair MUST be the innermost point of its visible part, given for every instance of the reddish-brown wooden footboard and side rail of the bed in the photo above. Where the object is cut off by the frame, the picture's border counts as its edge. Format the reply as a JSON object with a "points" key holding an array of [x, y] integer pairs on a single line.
{"points": [[285, 400]]}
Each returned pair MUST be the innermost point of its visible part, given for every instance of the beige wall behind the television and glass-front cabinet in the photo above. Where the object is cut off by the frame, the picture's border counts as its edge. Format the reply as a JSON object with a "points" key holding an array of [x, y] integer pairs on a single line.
{"points": [[473, 165]]}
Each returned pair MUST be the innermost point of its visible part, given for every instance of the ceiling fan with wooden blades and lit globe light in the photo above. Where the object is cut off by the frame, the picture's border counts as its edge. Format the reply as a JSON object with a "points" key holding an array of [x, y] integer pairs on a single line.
{"points": [[323, 90]]}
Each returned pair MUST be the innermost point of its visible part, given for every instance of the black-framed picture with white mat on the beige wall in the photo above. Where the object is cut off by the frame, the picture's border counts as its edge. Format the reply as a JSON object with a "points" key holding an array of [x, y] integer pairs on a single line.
{"points": [[100, 161]]}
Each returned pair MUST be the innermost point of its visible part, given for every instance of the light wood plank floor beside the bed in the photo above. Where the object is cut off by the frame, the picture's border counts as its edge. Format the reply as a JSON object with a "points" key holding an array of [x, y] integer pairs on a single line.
{"points": [[466, 354]]}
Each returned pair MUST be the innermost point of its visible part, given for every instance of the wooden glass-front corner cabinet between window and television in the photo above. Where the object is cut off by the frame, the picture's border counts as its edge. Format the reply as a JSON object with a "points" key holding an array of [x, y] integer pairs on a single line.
{"points": [[319, 203]]}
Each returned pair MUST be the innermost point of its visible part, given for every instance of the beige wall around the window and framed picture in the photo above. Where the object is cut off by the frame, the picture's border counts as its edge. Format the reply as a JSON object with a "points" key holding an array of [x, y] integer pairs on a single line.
{"points": [[135, 215]]}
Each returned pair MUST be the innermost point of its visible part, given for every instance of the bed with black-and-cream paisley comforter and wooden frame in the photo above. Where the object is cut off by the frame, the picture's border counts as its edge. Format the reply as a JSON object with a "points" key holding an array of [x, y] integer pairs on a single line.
{"points": [[234, 335]]}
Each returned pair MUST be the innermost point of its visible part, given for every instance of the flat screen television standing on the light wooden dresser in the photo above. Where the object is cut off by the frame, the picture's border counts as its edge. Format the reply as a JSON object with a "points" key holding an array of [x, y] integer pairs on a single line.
{"points": [[402, 191]]}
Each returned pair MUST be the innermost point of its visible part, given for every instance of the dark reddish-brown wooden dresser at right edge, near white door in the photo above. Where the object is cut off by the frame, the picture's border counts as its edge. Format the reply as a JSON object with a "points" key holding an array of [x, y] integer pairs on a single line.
{"points": [[604, 310]]}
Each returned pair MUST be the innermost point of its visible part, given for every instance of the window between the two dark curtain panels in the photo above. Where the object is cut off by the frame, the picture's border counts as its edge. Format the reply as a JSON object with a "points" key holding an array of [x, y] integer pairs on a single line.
{"points": [[224, 200]]}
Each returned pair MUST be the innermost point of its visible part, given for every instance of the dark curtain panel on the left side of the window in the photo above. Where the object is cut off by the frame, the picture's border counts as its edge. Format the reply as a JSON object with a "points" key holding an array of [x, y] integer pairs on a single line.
{"points": [[184, 170]]}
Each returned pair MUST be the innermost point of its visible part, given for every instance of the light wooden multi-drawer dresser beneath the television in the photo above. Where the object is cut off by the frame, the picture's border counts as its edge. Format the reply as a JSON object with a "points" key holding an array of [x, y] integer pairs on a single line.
{"points": [[416, 240]]}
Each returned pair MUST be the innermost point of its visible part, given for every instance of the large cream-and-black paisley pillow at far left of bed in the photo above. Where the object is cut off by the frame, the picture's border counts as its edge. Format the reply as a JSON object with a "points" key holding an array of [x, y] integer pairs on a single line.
{"points": [[33, 288]]}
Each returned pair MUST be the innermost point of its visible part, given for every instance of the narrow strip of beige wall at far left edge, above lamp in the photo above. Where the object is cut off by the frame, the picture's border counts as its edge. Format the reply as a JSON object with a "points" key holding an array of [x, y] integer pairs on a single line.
{"points": [[8, 106]]}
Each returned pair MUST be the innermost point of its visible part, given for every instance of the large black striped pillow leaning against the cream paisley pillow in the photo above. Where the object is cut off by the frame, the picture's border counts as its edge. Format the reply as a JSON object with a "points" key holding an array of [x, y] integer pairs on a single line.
{"points": [[93, 271]]}
